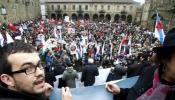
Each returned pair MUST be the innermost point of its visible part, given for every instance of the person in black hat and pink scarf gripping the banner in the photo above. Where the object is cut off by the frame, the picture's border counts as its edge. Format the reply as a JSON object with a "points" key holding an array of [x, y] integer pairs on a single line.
{"points": [[155, 82]]}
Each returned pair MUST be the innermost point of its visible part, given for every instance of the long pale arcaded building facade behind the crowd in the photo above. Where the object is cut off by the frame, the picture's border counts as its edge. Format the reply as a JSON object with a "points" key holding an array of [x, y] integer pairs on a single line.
{"points": [[108, 10]]}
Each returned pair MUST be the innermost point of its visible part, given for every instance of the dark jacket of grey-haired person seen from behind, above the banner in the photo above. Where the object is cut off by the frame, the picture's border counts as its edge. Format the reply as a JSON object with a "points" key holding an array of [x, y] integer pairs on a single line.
{"points": [[88, 74]]}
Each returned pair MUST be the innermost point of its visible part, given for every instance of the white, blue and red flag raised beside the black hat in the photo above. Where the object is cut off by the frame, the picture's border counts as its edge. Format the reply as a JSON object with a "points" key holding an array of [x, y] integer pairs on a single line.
{"points": [[159, 32]]}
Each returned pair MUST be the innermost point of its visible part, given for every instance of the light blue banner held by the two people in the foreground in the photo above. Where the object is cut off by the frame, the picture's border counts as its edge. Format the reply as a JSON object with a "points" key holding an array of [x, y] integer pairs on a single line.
{"points": [[93, 92]]}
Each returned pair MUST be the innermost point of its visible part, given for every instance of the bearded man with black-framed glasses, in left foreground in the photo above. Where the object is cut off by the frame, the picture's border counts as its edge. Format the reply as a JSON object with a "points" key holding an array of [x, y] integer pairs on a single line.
{"points": [[22, 75]]}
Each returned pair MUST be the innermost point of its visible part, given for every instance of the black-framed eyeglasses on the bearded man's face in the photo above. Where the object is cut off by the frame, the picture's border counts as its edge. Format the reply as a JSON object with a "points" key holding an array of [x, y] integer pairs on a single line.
{"points": [[29, 68]]}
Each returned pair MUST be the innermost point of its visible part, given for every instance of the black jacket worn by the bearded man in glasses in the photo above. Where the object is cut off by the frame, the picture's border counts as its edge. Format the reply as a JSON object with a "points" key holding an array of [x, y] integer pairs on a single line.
{"points": [[6, 94]]}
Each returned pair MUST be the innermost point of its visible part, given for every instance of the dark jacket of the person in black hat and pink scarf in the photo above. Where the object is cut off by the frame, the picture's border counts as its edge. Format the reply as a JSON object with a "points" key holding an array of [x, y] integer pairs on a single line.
{"points": [[142, 85]]}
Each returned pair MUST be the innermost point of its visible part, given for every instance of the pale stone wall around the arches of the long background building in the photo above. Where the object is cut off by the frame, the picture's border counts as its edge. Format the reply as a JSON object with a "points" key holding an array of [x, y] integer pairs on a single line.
{"points": [[103, 9]]}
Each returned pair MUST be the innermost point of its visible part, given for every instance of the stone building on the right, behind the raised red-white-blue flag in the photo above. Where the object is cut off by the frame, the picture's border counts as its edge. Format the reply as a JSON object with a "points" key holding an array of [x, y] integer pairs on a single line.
{"points": [[165, 9]]}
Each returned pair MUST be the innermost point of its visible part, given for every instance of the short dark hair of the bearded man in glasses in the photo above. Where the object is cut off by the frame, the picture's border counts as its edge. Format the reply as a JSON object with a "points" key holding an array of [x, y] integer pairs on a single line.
{"points": [[15, 47]]}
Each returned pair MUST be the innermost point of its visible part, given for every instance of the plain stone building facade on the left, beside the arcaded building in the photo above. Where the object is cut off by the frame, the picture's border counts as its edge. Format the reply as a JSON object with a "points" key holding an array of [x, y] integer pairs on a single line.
{"points": [[19, 10]]}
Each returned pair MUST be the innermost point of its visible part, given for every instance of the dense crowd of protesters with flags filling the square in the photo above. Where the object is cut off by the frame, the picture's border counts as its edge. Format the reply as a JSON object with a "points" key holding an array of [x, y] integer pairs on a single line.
{"points": [[126, 47]]}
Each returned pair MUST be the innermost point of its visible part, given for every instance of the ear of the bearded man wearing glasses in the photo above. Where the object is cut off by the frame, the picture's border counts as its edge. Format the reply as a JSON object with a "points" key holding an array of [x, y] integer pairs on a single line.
{"points": [[7, 79]]}
